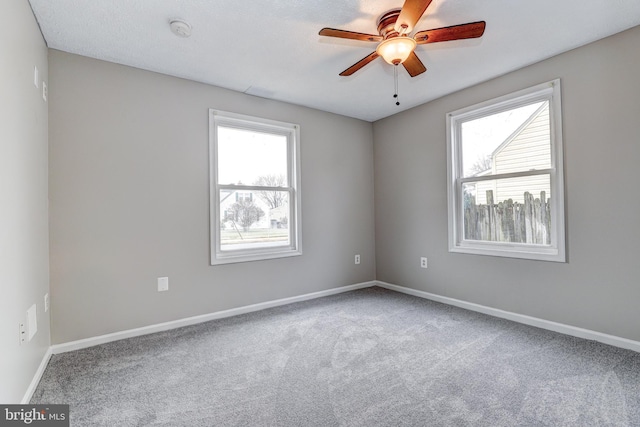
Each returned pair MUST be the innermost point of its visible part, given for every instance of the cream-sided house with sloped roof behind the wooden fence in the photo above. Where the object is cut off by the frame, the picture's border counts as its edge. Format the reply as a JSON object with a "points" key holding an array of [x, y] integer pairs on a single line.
{"points": [[526, 149]]}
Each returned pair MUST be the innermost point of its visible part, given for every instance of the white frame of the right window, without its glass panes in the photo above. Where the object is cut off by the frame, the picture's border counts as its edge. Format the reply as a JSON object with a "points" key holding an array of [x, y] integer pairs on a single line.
{"points": [[549, 91]]}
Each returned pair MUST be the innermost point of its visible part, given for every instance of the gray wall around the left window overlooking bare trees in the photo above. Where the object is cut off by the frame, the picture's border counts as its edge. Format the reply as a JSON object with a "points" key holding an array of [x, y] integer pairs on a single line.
{"points": [[129, 200]]}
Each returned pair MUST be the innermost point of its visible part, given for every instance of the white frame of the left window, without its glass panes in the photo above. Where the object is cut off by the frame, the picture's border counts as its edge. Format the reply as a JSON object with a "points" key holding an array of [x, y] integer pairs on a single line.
{"points": [[292, 133]]}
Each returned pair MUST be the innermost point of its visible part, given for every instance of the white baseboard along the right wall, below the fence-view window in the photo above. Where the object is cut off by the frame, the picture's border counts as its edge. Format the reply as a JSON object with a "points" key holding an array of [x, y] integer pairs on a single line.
{"points": [[520, 318]]}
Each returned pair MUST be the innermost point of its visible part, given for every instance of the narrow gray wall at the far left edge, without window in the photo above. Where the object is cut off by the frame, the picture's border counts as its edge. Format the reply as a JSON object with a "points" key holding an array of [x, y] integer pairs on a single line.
{"points": [[24, 240]]}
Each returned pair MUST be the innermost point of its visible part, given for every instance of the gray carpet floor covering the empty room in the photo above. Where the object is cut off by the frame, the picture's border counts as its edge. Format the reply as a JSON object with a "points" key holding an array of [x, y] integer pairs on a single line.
{"points": [[371, 357]]}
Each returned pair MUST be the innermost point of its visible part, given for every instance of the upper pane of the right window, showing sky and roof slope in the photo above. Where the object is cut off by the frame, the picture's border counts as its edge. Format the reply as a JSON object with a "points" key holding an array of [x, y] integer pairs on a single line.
{"points": [[516, 140]]}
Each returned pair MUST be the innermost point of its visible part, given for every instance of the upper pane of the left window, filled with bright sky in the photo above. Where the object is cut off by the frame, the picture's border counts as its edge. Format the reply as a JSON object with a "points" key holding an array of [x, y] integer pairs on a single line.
{"points": [[251, 158]]}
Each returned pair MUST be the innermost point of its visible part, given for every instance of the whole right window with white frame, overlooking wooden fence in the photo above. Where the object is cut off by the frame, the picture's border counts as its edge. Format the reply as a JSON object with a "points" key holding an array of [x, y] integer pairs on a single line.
{"points": [[505, 176]]}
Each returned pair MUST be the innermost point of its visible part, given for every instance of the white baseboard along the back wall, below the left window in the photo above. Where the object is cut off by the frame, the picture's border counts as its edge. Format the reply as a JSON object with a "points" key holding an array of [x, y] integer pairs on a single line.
{"points": [[90, 342]]}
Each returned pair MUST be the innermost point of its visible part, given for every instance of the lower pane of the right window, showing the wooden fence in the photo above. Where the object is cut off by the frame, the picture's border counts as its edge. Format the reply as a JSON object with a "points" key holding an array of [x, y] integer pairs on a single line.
{"points": [[516, 210]]}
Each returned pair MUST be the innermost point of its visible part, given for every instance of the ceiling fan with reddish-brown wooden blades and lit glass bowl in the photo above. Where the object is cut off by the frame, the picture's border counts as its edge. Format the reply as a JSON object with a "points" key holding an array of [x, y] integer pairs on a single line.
{"points": [[396, 46]]}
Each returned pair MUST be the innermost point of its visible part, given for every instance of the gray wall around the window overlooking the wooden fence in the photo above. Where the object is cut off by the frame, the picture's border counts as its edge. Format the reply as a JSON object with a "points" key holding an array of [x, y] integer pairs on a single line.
{"points": [[599, 287]]}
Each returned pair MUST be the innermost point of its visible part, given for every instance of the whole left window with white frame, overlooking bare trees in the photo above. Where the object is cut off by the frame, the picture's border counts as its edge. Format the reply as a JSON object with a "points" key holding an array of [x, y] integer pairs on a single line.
{"points": [[255, 185]]}
